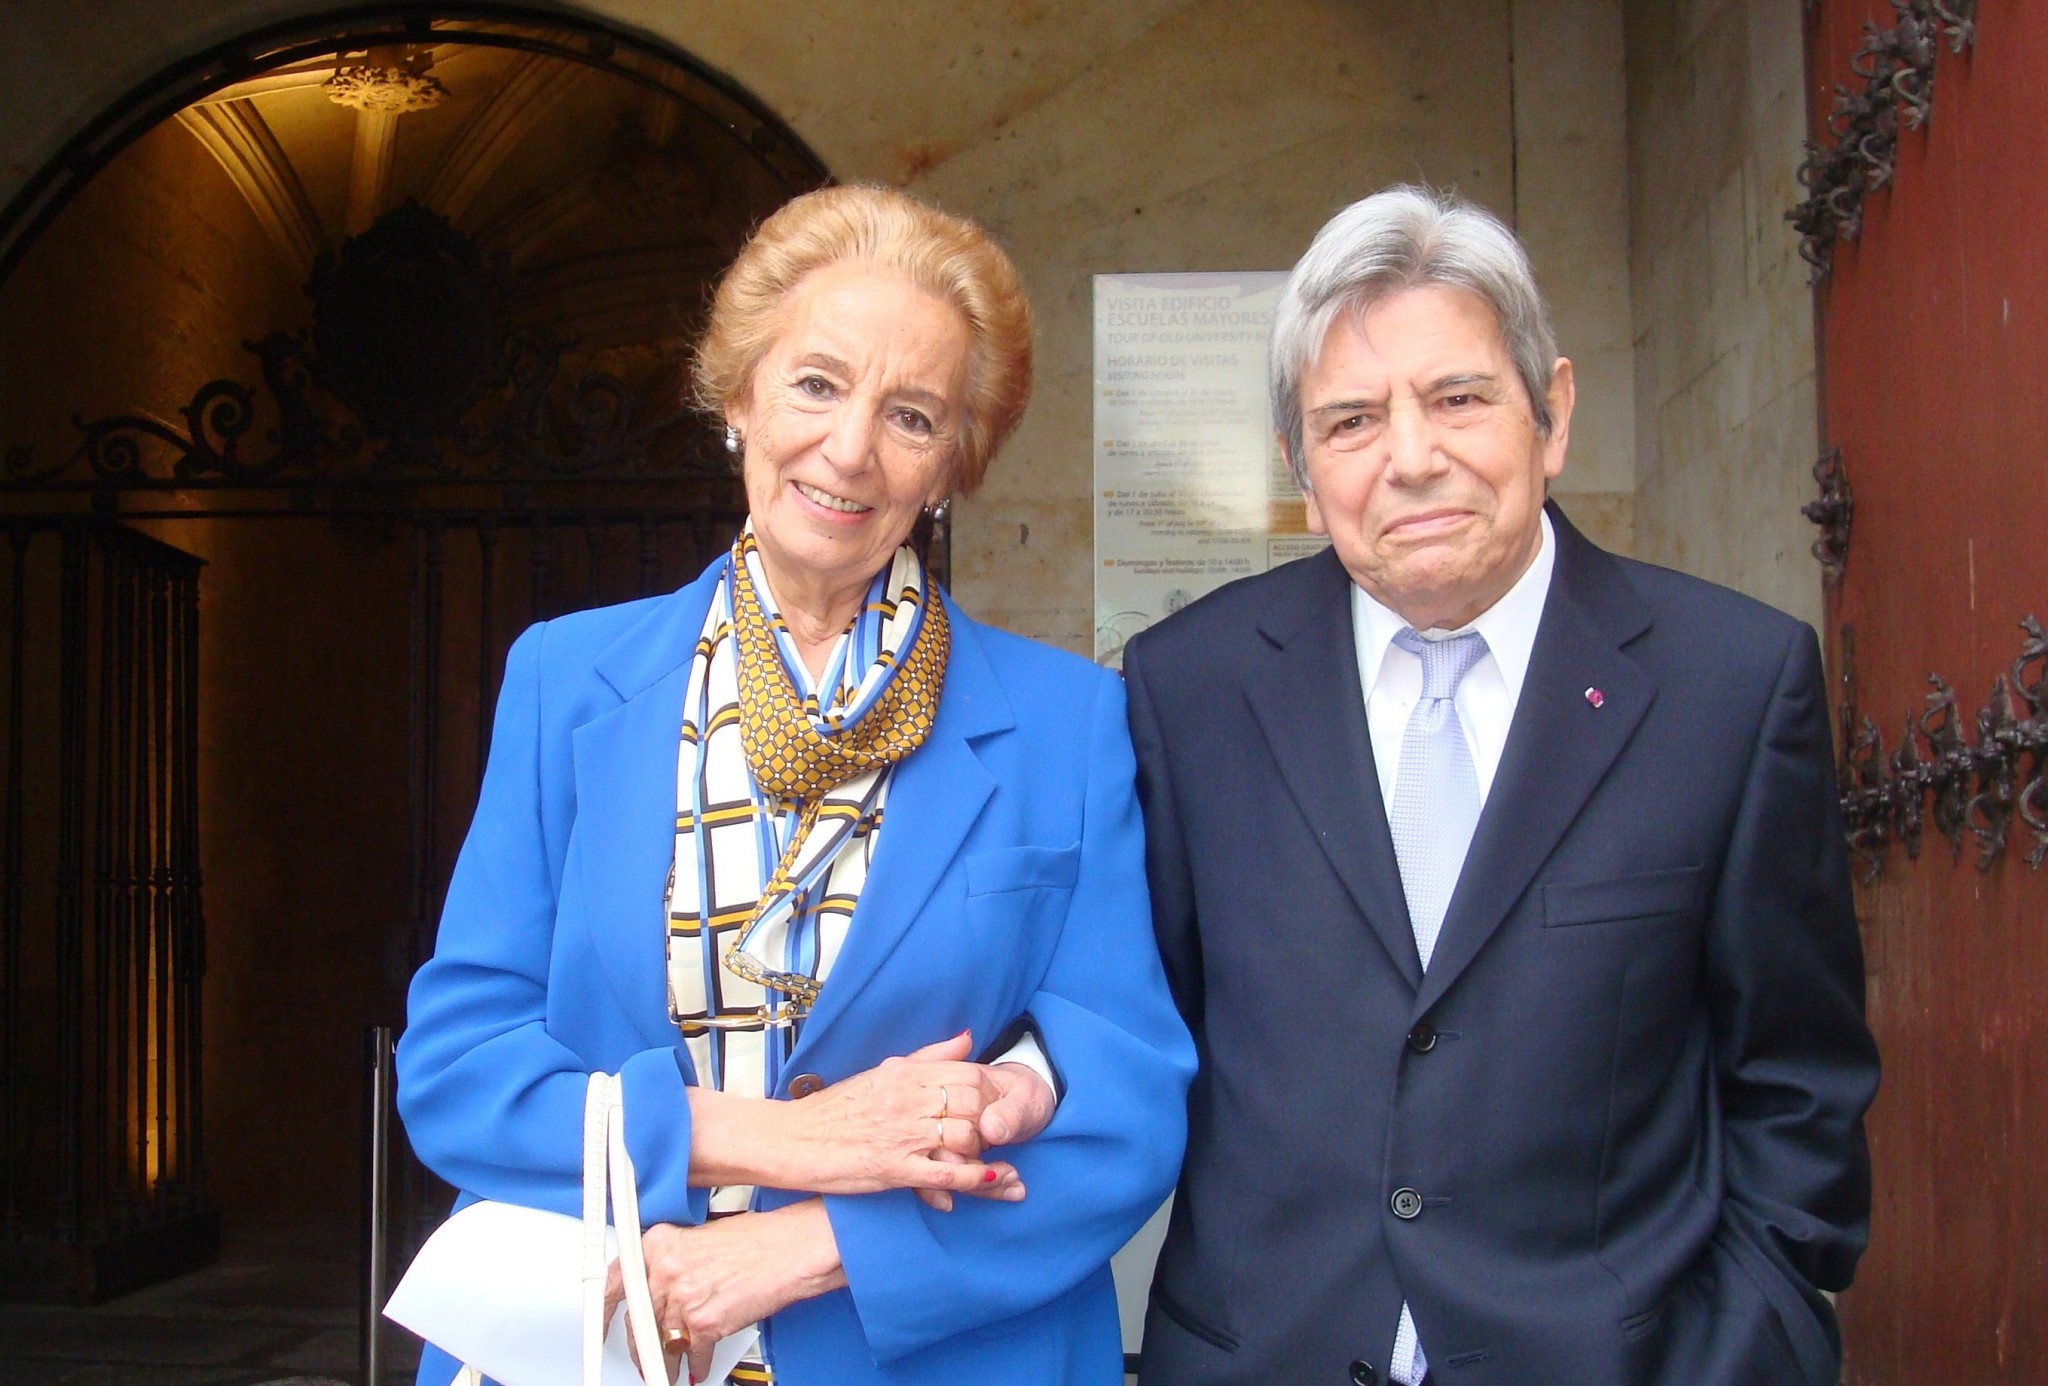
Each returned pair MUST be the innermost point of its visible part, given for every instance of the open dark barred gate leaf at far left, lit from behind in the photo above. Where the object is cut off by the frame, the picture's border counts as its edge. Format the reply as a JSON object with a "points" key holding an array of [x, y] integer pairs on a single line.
{"points": [[101, 1010]]}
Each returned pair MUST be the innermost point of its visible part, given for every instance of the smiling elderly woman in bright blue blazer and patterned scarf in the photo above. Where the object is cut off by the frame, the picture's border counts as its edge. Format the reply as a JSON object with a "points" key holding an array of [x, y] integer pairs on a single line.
{"points": [[796, 844]]}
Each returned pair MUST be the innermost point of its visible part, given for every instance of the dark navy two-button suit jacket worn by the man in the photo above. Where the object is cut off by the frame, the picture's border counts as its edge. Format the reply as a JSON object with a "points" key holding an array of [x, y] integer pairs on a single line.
{"points": [[1629, 1090]]}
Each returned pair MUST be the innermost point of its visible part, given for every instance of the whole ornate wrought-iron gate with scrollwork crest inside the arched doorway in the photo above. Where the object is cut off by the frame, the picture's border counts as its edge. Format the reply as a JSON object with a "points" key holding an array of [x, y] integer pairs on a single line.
{"points": [[517, 499]]}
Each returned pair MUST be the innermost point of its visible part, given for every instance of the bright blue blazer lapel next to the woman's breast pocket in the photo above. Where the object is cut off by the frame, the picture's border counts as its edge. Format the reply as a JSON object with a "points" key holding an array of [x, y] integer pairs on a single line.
{"points": [[935, 799]]}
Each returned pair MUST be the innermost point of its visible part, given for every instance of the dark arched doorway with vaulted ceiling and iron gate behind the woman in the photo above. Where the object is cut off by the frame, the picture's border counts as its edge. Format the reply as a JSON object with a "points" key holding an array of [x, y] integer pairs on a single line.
{"points": [[349, 353]]}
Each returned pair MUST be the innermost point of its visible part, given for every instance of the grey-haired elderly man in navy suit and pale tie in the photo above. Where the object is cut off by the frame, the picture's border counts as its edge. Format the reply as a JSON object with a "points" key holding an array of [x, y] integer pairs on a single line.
{"points": [[1502, 885]]}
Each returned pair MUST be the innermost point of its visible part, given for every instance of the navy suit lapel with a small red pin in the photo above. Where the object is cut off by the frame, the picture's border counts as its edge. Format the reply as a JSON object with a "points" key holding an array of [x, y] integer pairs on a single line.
{"points": [[1560, 746]]}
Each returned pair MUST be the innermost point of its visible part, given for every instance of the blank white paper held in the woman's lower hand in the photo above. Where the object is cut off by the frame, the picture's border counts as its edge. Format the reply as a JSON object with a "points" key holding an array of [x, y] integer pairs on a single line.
{"points": [[501, 1289]]}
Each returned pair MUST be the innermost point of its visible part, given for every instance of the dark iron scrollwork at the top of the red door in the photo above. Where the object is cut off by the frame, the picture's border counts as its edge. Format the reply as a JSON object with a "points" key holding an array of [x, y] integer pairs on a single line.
{"points": [[1895, 69]]}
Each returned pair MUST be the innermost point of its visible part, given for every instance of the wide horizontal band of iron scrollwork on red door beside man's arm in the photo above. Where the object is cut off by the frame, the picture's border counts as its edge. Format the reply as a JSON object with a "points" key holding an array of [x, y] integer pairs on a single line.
{"points": [[1969, 787]]}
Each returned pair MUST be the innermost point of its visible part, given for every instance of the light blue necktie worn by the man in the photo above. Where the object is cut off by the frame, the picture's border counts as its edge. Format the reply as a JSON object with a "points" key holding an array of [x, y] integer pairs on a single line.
{"points": [[1433, 820]]}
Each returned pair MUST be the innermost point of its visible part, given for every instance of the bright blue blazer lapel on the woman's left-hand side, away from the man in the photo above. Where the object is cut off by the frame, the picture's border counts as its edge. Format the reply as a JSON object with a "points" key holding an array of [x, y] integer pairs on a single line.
{"points": [[626, 804]]}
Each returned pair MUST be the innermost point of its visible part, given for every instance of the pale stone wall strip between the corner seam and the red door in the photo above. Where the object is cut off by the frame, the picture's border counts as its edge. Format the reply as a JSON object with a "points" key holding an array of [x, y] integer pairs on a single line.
{"points": [[1725, 370]]}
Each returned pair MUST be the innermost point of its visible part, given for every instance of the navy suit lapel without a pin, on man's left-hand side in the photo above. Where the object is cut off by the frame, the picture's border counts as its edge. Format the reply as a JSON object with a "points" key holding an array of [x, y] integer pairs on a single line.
{"points": [[1314, 716]]}
